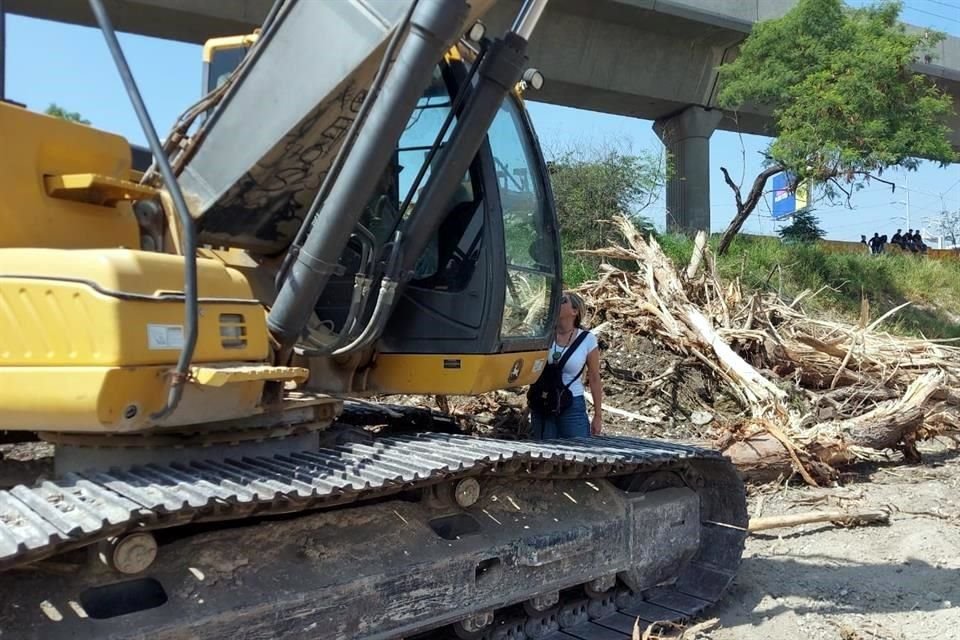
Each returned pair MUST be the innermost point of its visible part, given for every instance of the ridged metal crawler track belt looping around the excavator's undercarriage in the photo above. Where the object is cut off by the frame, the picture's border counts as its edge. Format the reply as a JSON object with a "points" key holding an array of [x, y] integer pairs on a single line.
{"points": [[83, 509]]}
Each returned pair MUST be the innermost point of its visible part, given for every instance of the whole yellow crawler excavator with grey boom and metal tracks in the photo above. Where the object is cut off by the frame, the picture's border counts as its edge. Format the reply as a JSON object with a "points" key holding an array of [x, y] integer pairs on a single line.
{"points": [[357, 207]]}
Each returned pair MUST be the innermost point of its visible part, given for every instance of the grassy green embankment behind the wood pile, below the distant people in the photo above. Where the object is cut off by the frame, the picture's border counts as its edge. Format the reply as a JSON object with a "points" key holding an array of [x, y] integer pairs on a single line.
{"points": [[932, 286]]}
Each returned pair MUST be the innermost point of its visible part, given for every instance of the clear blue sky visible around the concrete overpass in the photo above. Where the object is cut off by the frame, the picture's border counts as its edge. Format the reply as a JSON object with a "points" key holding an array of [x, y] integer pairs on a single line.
{"points": [[73, 69]]}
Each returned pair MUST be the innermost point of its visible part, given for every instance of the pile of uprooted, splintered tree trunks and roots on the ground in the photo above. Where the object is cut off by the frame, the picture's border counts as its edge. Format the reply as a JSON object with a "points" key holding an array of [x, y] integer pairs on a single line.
{"points": [[813, 395]]}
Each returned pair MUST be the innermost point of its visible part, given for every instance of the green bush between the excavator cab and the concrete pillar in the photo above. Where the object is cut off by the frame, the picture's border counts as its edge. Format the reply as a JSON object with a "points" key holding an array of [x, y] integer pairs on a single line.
{"points": [[591, 185]]}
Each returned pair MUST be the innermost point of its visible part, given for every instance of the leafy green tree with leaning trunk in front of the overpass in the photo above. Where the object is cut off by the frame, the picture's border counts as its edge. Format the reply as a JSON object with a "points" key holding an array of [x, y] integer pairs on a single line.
{"points": [[844, 99]]}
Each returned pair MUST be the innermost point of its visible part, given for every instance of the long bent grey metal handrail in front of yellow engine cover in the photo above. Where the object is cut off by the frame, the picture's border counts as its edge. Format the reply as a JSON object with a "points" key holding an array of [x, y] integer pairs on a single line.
{"points": [[189, 240]]}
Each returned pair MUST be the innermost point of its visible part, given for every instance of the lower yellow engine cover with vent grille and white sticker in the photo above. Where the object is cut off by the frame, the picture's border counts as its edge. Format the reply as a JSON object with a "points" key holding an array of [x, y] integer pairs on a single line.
{"points": [[88, 337]]}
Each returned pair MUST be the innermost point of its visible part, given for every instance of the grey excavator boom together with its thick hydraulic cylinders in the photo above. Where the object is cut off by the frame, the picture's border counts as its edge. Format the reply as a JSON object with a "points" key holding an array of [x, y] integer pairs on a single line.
{"points": [[285, 189]]}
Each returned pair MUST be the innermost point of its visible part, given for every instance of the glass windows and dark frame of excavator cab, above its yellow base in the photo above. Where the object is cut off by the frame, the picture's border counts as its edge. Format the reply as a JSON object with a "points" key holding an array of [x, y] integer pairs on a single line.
{"points": [[487, 279]]}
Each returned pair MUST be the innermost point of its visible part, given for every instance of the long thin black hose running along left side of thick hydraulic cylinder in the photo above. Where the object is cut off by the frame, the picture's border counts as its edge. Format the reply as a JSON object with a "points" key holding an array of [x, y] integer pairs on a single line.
{"points": [[337, 163]]}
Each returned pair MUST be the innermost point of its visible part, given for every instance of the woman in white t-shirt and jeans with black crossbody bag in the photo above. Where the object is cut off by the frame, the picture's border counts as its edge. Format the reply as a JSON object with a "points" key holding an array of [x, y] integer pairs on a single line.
{"points": [[576, 350]]}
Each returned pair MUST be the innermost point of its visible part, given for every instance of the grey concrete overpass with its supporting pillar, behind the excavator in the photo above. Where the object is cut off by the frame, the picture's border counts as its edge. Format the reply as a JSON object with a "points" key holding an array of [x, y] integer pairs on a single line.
{"points": [[652, 59]]}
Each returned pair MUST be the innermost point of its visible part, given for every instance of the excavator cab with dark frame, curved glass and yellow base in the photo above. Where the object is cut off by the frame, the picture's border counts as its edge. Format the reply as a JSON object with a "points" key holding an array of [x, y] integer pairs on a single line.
{"points": [[488, 279]]}
